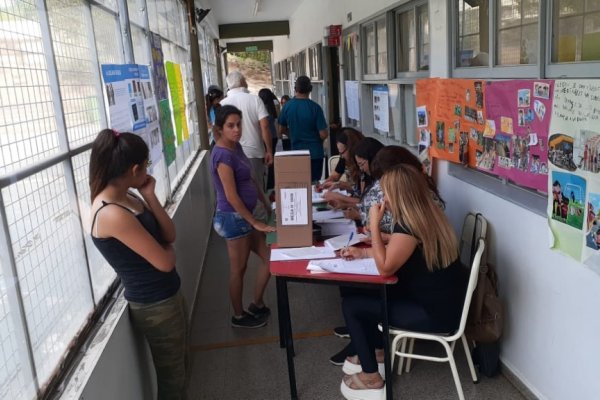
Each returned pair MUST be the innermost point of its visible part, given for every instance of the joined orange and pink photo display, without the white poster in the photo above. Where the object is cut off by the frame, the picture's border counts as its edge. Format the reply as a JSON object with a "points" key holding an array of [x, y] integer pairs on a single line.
{"points": [[498, 127]]}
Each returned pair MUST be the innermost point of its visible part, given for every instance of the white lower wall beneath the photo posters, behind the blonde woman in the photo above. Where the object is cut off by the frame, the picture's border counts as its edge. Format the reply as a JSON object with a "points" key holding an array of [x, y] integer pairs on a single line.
{"points": [[551, 335]]}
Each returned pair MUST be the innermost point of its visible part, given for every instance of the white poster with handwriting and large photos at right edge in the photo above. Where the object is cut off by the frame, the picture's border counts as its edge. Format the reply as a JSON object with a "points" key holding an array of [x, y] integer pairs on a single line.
{"points": [[574, 149]]}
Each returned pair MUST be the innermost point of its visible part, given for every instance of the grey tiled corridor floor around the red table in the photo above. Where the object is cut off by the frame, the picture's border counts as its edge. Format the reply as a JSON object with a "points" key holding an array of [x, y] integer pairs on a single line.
{"points": [[247, 364]]}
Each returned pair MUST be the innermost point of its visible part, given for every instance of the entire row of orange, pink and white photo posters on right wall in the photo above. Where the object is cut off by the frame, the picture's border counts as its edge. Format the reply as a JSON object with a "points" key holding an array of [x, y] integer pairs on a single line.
{"points": [[540, 134]]}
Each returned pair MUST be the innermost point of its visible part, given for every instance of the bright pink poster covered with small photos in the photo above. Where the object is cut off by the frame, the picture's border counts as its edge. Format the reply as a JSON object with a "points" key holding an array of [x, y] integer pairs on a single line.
{"points": [[518, 149]]}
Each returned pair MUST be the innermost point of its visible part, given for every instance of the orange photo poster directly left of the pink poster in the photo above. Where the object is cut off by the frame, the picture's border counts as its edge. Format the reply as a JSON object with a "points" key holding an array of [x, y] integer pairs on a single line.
{"points": [[458, 120]]}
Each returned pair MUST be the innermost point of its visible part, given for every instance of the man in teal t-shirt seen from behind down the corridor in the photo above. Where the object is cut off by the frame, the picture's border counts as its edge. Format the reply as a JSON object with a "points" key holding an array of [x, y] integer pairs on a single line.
{"points": [[303, 121]]}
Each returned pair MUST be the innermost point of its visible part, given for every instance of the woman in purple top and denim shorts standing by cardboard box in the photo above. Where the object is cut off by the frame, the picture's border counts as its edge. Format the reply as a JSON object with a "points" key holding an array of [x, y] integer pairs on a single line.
{"points": [[237, 195]]}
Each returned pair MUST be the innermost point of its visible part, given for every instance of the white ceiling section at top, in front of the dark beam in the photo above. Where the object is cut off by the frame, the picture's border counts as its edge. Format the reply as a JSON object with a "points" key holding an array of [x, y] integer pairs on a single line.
{"points": [[242, 11]]}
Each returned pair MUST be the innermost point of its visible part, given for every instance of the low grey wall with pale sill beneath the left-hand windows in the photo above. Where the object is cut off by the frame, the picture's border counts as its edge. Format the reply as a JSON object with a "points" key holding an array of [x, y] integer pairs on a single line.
{"points": [[117, 364]]}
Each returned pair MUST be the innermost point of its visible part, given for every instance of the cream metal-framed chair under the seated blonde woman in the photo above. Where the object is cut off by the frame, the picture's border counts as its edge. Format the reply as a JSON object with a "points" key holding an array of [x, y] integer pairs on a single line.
{"points": [[446, 340]]}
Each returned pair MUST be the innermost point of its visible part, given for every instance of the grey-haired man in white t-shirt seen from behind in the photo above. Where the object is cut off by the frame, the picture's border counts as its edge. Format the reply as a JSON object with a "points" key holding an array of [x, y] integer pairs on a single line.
{"points": [[256, 137]]}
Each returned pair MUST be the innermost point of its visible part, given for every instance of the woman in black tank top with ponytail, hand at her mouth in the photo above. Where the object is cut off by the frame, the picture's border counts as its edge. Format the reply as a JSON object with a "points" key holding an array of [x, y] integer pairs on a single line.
{"points": [[135, 235]]}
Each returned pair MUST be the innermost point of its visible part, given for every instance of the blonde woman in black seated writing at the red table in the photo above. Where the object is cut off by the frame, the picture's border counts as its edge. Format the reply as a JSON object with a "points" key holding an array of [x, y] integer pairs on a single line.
{"points": [[423, 254]]}
